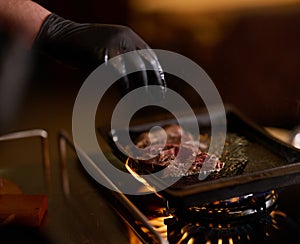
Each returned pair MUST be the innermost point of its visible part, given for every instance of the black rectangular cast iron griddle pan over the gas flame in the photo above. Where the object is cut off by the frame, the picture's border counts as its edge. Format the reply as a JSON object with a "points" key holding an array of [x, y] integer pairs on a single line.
{"points": [[272, 164]]}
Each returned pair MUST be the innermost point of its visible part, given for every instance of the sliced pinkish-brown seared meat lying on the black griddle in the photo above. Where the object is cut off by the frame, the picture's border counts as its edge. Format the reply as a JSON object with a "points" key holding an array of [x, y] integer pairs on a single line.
{"points": [[188, 161]]}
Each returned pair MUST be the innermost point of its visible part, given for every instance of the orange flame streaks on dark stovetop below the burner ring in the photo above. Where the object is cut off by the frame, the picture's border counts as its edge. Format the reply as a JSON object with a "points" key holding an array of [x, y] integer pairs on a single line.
{"points": [[262, 230]]}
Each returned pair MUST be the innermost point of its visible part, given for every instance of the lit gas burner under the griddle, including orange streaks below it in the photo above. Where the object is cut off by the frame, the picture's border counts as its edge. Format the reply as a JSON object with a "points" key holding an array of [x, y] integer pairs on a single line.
{"points": [[246, 219]]}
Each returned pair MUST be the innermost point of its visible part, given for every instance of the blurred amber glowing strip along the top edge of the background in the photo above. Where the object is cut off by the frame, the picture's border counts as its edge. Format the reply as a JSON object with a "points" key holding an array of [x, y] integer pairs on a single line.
{"points": [[193, 6]]}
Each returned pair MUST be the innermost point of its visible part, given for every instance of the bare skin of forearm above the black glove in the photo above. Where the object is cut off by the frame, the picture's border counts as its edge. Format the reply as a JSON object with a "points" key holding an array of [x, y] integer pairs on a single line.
{"points": [[22, 17]]}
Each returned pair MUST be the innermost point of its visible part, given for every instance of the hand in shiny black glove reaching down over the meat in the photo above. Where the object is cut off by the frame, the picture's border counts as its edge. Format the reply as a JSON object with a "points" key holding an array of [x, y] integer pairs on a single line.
{"points": [[87, 46]]}
